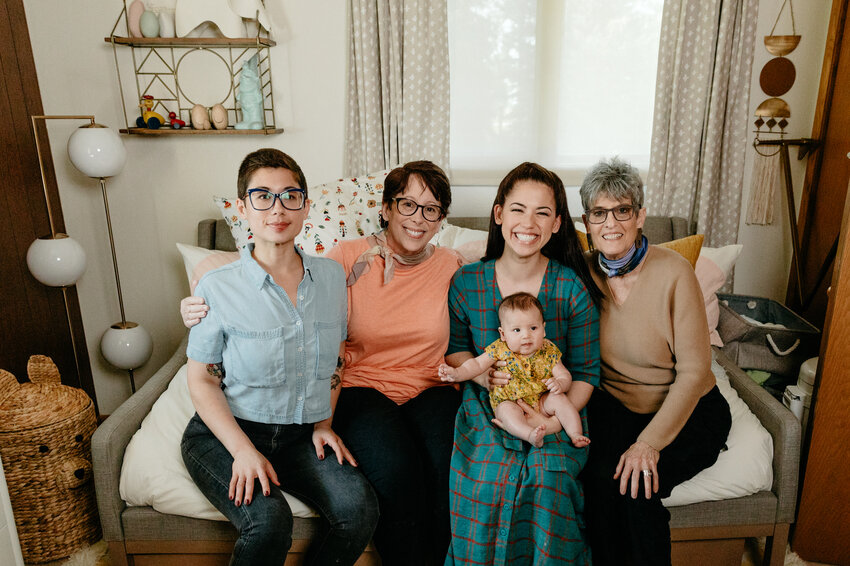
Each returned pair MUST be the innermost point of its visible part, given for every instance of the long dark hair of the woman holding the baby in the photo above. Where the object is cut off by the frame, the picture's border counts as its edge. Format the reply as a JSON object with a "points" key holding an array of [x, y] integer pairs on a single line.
{"points": [[563, 246]]}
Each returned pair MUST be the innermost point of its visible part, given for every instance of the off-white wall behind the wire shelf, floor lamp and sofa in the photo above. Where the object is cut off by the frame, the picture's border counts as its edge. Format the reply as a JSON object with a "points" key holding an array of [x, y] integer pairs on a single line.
{"points": [[167, 183]]}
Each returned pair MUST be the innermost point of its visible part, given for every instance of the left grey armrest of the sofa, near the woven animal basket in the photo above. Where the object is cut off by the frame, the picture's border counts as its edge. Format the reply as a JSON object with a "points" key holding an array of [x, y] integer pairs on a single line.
{"points": [[111, 438]]}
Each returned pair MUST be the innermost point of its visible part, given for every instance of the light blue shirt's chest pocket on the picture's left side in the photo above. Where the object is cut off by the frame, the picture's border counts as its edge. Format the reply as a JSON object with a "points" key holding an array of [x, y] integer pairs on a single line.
{"points": [[260, 353]]}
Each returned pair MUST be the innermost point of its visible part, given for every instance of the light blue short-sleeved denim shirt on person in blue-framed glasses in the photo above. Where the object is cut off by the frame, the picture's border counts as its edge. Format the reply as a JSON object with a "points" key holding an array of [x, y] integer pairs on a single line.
{"points": [[278, 358]]}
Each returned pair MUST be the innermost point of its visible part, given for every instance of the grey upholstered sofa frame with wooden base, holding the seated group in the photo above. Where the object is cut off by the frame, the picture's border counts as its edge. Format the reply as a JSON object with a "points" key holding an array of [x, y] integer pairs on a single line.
{"points": [[703, 533]]}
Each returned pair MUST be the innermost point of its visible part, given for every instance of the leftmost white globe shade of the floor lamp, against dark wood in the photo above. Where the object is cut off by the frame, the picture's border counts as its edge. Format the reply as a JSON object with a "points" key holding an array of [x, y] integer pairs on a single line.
{"points": [[56, 261]]}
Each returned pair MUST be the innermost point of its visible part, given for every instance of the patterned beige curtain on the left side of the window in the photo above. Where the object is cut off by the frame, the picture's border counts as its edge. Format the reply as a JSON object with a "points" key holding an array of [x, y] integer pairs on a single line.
{"points": [[398, 98]]}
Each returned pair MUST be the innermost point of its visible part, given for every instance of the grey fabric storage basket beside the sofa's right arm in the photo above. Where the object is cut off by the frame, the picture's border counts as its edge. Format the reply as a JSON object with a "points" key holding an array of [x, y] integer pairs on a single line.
{"points": [[763, 346]]}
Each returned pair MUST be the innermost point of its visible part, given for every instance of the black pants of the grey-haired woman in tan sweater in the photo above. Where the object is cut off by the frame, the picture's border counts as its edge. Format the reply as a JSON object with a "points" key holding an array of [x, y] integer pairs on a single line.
{"points": [[623, 531]]}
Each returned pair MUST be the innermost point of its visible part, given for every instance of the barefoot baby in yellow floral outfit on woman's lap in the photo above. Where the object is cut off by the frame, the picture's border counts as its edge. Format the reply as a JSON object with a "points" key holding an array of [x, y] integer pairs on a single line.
{"points": [[537, 375]]}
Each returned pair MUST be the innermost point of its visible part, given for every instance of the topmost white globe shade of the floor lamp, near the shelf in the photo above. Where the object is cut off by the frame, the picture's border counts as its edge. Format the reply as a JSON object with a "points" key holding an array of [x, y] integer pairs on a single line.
{"points": [[97, 151]]}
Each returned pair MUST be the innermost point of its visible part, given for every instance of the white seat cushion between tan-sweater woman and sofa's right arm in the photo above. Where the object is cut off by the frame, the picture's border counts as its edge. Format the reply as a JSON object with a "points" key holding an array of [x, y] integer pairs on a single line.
{"points": [[746, 467]]}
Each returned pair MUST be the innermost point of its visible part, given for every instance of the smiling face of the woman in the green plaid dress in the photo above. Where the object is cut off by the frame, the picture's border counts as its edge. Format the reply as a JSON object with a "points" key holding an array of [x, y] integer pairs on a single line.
{"points": [[528, 218]]}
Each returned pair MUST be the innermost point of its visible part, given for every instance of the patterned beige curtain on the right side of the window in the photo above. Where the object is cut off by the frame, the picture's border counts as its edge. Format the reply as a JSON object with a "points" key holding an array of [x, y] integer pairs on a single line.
{"points": [[699, 134]]}
